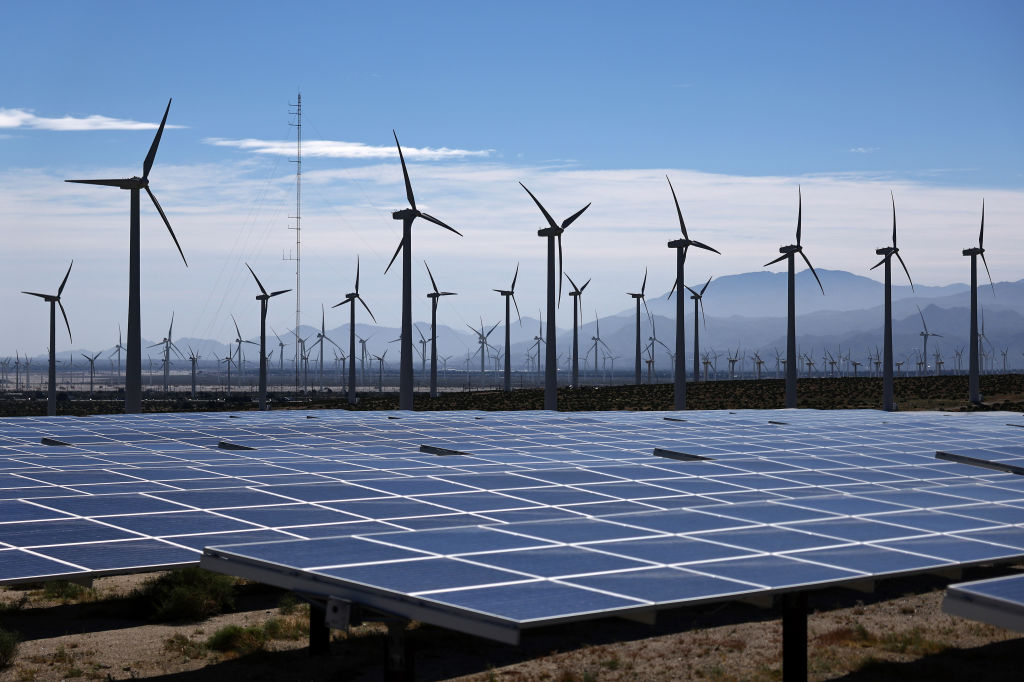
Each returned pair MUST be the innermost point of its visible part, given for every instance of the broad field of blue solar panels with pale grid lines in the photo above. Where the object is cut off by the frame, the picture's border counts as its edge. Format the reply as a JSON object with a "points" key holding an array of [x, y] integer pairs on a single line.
{"points": [[523, 518]]}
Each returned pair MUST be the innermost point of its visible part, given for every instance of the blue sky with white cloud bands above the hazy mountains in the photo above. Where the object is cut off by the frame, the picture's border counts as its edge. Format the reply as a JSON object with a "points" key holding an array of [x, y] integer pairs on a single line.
{"points": [[584, 102]]}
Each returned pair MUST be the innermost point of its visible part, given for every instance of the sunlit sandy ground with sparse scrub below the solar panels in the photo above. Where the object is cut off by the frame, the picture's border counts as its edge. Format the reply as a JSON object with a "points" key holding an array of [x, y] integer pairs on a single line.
{"points": [[899, 633]]}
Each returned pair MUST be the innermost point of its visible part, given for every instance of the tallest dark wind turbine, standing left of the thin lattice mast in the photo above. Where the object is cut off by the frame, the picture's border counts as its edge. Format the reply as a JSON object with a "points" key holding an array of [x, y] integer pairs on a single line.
{"points": [[134, 361]]}
